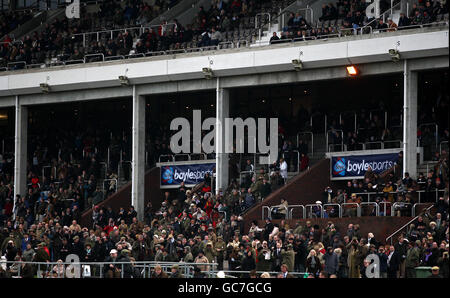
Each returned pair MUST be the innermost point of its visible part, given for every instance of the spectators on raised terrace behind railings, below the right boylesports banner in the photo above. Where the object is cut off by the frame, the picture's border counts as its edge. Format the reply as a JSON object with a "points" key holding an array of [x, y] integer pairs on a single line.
{"points": [[389, 188]]}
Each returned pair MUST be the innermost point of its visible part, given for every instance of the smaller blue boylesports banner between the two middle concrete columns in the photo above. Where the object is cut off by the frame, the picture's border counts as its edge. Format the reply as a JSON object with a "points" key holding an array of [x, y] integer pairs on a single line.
{"points": [[190, 174]]}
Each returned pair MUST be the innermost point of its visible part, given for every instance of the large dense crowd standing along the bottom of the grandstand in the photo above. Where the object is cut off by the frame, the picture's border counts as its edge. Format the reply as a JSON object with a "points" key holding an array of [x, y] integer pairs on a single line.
{"points": [[190, 227]]}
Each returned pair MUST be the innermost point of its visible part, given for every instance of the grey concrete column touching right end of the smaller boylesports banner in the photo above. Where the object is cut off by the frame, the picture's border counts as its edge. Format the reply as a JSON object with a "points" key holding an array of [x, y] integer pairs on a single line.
{"points": [[222, 112]]}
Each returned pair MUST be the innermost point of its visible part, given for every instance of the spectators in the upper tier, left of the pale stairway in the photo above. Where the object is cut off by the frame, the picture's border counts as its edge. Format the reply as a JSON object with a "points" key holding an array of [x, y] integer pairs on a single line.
{"points": [[61, 40]]}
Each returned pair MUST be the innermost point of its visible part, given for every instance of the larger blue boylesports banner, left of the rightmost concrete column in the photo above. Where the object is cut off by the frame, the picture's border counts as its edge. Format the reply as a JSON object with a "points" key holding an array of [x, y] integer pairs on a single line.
{"points": [[355, 166]]}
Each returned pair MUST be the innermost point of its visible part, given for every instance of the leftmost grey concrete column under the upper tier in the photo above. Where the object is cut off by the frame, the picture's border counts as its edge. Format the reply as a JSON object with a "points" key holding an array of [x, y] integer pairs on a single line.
{"points": [[20, 151]]}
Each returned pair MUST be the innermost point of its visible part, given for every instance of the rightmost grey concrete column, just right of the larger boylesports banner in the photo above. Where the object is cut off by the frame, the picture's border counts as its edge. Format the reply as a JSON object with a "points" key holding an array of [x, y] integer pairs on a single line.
{"points": [[410, 82]]}
